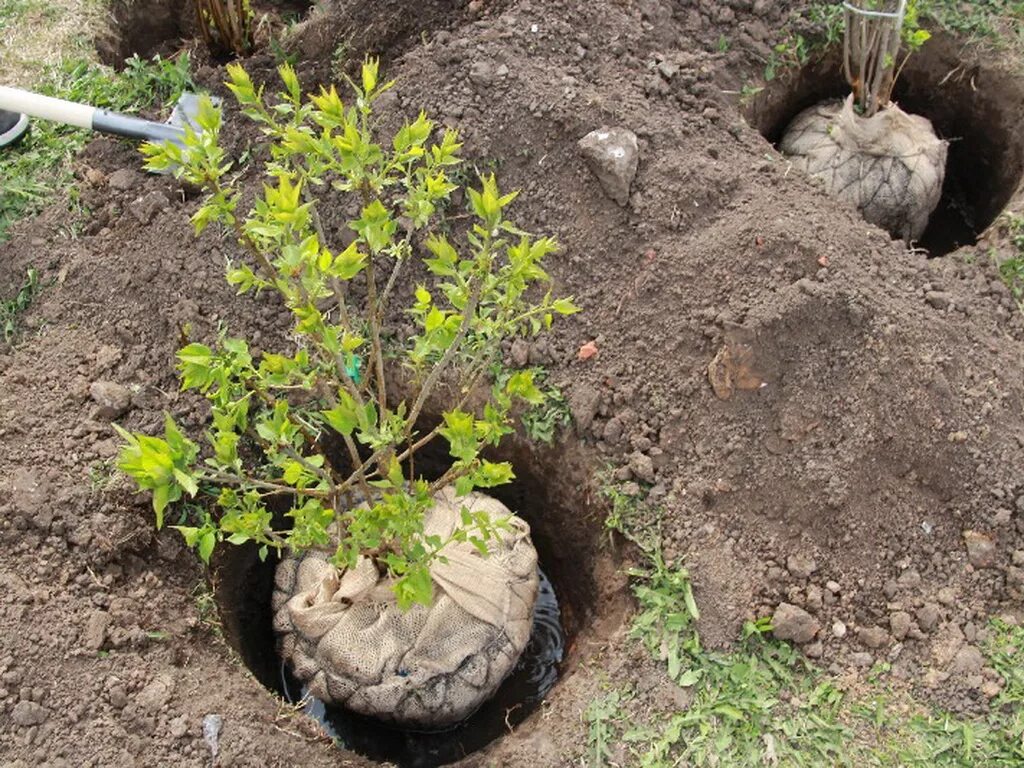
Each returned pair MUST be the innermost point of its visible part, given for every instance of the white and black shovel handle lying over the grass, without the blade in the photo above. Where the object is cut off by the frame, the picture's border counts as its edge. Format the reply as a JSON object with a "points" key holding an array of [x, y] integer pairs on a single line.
{"points": [[83, 116]]}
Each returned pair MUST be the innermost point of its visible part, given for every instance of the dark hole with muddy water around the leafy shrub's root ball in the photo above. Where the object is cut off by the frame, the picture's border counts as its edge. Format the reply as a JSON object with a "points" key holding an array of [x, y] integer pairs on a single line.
{"points": [[569, 602]]}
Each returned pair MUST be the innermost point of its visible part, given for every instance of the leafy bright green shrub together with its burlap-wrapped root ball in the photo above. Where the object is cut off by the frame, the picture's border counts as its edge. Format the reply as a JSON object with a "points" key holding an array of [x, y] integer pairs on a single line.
{"points": [[370, 548]]}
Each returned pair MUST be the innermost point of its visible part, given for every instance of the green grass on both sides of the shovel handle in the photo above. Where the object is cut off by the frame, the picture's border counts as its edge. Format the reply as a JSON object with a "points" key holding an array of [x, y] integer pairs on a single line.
{"points": [[41, 165]]}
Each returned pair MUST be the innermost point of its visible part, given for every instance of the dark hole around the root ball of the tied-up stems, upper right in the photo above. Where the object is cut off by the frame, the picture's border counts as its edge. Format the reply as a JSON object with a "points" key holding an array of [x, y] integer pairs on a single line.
{"points": [[977, 108]]}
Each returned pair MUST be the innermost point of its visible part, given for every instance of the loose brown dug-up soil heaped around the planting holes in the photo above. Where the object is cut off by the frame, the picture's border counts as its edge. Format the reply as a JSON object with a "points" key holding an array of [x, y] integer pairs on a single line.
{"points": [[827, 419]]}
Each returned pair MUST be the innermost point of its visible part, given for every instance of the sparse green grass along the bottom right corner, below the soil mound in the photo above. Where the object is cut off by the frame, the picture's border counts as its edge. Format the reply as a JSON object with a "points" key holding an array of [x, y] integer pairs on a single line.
{"points": [[764, 704]]}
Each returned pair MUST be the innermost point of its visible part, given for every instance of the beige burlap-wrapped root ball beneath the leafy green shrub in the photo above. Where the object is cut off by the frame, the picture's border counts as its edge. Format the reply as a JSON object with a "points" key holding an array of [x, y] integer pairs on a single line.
{"points": [[346, 637]]}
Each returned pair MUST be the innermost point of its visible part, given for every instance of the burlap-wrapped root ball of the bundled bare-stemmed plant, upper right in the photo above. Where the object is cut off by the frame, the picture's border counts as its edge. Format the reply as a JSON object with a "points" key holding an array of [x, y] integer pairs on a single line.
{"points": [[890, 165]]}
